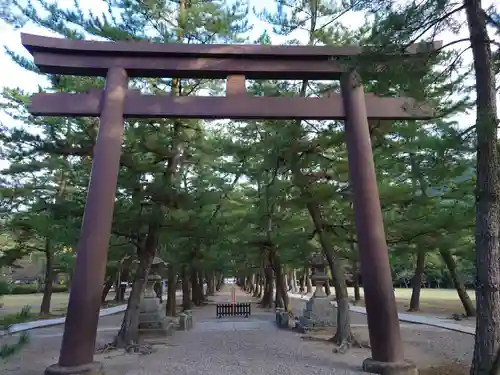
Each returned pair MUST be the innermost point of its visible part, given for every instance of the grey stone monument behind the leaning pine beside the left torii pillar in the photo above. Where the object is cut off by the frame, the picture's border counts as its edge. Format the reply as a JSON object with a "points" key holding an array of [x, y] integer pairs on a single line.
{"points": [[152, 317]]}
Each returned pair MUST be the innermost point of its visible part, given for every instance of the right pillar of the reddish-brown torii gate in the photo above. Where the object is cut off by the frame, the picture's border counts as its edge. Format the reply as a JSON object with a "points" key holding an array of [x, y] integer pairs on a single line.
{"points": [[382, 315]]}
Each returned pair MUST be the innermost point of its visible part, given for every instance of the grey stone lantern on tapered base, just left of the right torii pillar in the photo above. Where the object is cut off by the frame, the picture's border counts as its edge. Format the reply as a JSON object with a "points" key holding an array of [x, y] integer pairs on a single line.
{"points": [[319, 311]]}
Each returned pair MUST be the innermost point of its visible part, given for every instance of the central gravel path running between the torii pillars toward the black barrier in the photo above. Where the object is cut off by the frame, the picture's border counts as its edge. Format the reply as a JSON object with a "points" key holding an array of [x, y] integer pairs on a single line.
{"points": [[236, 346]]}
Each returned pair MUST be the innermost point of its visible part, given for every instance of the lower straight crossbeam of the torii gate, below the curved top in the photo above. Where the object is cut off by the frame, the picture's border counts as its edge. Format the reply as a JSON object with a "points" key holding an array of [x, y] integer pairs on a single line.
{"points": [[234, 107]]}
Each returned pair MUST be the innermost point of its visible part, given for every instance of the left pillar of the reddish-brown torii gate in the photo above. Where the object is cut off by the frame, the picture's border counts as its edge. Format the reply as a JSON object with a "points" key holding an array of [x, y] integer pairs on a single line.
{"points": [[78, 343]]}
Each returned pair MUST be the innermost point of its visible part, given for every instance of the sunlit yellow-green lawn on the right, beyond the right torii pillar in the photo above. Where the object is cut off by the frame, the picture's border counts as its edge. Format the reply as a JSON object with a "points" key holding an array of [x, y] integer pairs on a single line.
{"points": [[432, 301]]}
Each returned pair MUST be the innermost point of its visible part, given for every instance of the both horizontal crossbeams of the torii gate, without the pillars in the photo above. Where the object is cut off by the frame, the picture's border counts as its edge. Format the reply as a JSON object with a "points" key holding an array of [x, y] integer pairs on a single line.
{"points": [[232, 62]]}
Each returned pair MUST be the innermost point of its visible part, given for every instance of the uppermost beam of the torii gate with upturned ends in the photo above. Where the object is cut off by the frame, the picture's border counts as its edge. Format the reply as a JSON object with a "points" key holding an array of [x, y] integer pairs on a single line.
{"points": [[145, 59]]}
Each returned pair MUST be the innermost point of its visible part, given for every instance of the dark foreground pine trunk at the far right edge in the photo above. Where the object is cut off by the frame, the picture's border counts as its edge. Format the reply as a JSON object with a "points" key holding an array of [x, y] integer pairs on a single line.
{"points": [[487, 342]]}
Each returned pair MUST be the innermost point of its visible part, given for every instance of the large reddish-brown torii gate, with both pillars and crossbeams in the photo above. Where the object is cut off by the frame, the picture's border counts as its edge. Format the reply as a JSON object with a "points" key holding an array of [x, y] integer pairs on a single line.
{"points": [[118, 61]]}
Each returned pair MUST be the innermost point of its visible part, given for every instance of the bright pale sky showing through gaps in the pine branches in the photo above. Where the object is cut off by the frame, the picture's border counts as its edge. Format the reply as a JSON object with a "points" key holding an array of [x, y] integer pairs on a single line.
{"points": [[14, 76]]}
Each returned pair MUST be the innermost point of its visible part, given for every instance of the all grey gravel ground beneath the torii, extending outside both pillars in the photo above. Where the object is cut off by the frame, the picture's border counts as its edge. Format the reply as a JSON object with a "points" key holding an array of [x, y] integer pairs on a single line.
{"points": [[241, 346]]}
